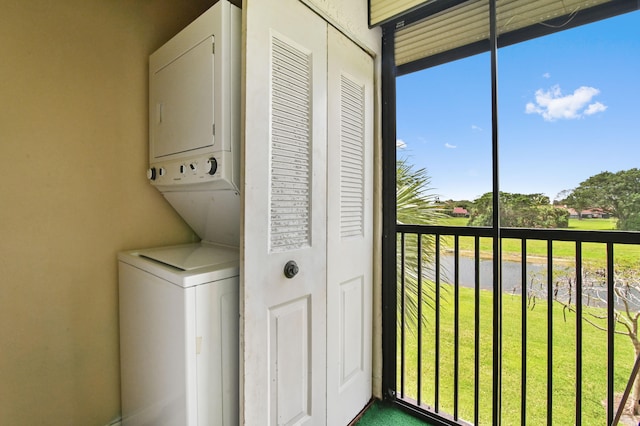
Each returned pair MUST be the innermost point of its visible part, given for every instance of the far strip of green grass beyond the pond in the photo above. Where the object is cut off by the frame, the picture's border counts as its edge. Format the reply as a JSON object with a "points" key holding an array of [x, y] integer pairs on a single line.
{"points": [[593, 253]]}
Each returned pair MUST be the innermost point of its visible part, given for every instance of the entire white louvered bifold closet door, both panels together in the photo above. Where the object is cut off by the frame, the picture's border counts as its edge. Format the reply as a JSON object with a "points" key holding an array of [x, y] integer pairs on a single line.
{"points": [[306, 358]]}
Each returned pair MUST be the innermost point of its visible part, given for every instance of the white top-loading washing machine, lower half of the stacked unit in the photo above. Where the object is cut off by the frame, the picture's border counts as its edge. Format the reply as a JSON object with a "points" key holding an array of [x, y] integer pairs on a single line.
{"points": [[179, 335]]}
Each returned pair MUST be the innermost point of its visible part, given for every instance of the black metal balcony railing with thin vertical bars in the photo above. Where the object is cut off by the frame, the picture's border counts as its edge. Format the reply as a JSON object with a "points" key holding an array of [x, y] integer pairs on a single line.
{"points": [[440, 281]]}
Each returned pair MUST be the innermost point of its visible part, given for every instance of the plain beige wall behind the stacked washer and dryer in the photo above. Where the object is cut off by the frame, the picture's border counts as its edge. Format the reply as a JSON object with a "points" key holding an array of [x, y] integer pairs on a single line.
{"points": [[73, 192]]}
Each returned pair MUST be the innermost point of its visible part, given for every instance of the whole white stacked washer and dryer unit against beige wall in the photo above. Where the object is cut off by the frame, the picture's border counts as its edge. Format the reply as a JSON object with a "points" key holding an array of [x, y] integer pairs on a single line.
{"points": [[179, 304]]}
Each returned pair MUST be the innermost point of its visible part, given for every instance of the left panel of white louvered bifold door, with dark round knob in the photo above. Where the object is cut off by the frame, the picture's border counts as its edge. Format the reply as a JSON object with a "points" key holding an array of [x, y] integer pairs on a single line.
{"points": [[283, 375]]}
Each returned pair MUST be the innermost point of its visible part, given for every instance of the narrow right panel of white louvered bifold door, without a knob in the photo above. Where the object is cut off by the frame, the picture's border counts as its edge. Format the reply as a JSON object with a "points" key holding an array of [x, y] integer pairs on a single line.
{"points": [[349, 228]]}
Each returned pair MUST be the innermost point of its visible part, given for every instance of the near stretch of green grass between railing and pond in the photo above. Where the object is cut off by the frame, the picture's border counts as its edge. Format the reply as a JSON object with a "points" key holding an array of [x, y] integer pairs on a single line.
{"points": [[564, 348]]}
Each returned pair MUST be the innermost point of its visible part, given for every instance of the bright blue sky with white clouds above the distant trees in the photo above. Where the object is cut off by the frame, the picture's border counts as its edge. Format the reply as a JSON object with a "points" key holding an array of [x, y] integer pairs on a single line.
{"points": [[569, 108]]}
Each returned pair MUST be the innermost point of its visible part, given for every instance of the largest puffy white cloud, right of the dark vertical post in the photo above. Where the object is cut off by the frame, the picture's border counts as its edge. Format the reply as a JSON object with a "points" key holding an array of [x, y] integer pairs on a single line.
{"points": [[553, 105]]}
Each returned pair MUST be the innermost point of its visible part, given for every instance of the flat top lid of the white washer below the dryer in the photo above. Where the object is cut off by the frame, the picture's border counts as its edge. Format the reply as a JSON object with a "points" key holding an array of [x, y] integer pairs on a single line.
{"points": [[190, 257]]}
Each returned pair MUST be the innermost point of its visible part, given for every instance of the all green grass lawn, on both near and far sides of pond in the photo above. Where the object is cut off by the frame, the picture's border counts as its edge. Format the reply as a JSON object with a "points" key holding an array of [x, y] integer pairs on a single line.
{"points": [[594, 348]]}
